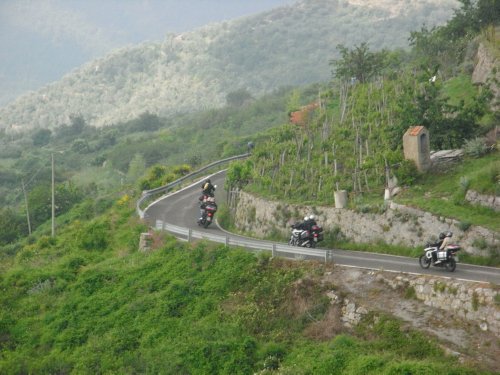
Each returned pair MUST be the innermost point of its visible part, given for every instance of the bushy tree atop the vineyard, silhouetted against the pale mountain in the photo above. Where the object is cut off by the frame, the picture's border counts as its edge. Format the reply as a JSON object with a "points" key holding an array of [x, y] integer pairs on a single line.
{"points": [[358, 63]]}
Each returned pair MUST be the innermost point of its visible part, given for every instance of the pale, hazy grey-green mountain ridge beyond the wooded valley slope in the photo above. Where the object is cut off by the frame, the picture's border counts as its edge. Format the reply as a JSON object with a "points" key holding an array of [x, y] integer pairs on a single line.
{"points": [[291, 45]]}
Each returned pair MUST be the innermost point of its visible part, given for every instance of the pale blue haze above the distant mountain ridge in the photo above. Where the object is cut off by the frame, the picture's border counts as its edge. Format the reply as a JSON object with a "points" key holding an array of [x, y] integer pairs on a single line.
{"points": [[41, 40]]}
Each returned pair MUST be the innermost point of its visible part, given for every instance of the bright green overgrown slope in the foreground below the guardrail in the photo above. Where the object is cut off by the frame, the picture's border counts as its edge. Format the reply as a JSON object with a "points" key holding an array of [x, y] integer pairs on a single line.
{"points": [[88, 302]]}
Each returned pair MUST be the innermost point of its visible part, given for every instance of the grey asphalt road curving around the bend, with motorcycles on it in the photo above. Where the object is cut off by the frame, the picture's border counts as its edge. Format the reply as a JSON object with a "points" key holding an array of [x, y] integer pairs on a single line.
{"points": [[181, 209]]}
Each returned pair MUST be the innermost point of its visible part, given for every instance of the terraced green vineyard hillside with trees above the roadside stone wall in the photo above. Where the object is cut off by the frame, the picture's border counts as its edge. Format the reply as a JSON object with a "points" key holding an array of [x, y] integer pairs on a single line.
{"points": [[352, 140]]}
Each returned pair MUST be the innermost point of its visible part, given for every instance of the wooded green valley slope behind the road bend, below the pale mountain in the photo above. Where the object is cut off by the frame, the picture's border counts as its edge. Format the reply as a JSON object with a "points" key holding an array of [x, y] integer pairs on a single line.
{"points": [[146, 152]]}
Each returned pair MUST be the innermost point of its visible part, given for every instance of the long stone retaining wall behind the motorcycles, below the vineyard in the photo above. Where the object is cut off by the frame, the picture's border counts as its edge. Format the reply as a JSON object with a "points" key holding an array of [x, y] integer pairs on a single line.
{"points": [[397, 225]]}
